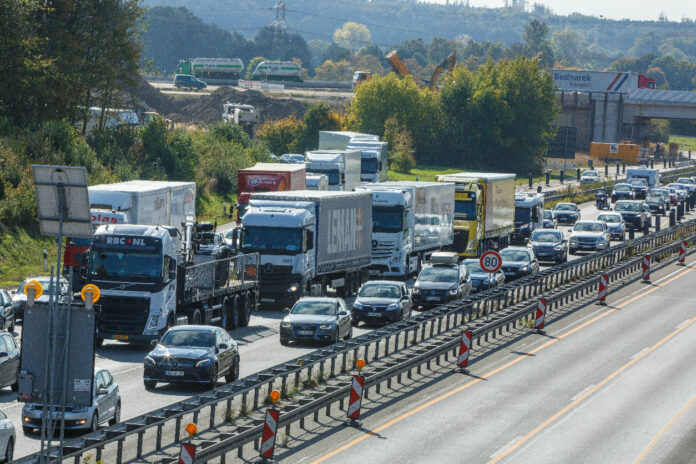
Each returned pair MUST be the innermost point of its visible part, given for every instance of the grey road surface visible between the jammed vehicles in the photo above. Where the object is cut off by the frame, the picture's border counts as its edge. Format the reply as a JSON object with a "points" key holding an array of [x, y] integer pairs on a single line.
{"points": [[259, 349]]}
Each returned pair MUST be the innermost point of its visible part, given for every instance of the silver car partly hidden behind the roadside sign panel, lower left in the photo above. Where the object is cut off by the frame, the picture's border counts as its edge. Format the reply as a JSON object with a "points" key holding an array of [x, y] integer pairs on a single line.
{"points": [[105, 407]]}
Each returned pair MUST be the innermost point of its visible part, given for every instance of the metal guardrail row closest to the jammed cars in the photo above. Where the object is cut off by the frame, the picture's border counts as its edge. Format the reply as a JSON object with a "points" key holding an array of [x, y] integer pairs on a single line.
{"points": [[247, 394]]}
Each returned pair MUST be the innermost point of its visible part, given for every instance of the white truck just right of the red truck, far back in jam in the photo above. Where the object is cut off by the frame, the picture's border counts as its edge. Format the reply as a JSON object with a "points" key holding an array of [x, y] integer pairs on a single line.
{"points": [[342, 167]]}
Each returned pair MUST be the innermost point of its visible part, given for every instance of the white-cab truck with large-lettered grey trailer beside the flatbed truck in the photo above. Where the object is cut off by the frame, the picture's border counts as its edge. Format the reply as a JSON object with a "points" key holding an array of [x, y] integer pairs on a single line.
{"points": [[308, 241]]}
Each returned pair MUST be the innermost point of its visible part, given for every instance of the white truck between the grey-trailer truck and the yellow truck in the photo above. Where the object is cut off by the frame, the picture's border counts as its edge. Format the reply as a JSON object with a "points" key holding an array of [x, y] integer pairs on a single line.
{"points": [[410, 220]]}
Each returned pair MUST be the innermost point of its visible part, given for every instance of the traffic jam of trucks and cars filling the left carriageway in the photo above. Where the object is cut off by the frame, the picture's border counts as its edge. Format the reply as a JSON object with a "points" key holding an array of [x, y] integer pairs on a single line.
{"points": [[353, 256]]}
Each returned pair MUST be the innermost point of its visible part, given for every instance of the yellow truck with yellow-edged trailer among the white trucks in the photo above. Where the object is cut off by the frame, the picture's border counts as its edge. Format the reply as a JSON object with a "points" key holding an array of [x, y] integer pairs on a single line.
{"points": [[484, 211]]}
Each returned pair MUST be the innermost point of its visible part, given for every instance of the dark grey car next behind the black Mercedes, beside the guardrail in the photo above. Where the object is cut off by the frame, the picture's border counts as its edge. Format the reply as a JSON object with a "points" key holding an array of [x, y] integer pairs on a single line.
{"points": [[316, 319]]}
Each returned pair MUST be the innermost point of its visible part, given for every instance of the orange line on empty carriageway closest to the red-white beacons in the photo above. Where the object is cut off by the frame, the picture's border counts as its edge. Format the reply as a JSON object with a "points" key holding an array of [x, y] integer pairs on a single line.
{"points": [[679, 273]]}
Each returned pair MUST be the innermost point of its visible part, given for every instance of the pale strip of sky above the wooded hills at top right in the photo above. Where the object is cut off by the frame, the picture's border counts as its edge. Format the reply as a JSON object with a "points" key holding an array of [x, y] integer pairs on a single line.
{"points": [[613, 9]]}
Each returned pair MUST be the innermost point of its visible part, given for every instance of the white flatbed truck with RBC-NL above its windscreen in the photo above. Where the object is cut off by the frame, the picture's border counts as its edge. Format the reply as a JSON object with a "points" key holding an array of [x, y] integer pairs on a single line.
{"points": [[149, 282]]}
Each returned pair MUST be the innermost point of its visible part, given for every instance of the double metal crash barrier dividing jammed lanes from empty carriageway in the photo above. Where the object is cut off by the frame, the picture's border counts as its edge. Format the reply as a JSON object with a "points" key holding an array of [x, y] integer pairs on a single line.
{"points": [[482, 314]]}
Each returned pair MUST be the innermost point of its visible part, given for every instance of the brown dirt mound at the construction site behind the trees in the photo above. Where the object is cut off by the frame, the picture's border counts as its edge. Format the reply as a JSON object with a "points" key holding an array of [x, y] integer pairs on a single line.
{"points": [[209, 108]]}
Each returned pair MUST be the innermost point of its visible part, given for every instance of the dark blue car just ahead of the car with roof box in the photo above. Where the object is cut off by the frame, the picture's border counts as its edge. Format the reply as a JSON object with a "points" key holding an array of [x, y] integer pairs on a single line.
{"points": [[382, 301]]}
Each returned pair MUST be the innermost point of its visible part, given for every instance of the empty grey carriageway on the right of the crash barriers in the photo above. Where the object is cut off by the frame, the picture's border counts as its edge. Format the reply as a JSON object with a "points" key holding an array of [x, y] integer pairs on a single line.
{"points": [[605, 384]]}
